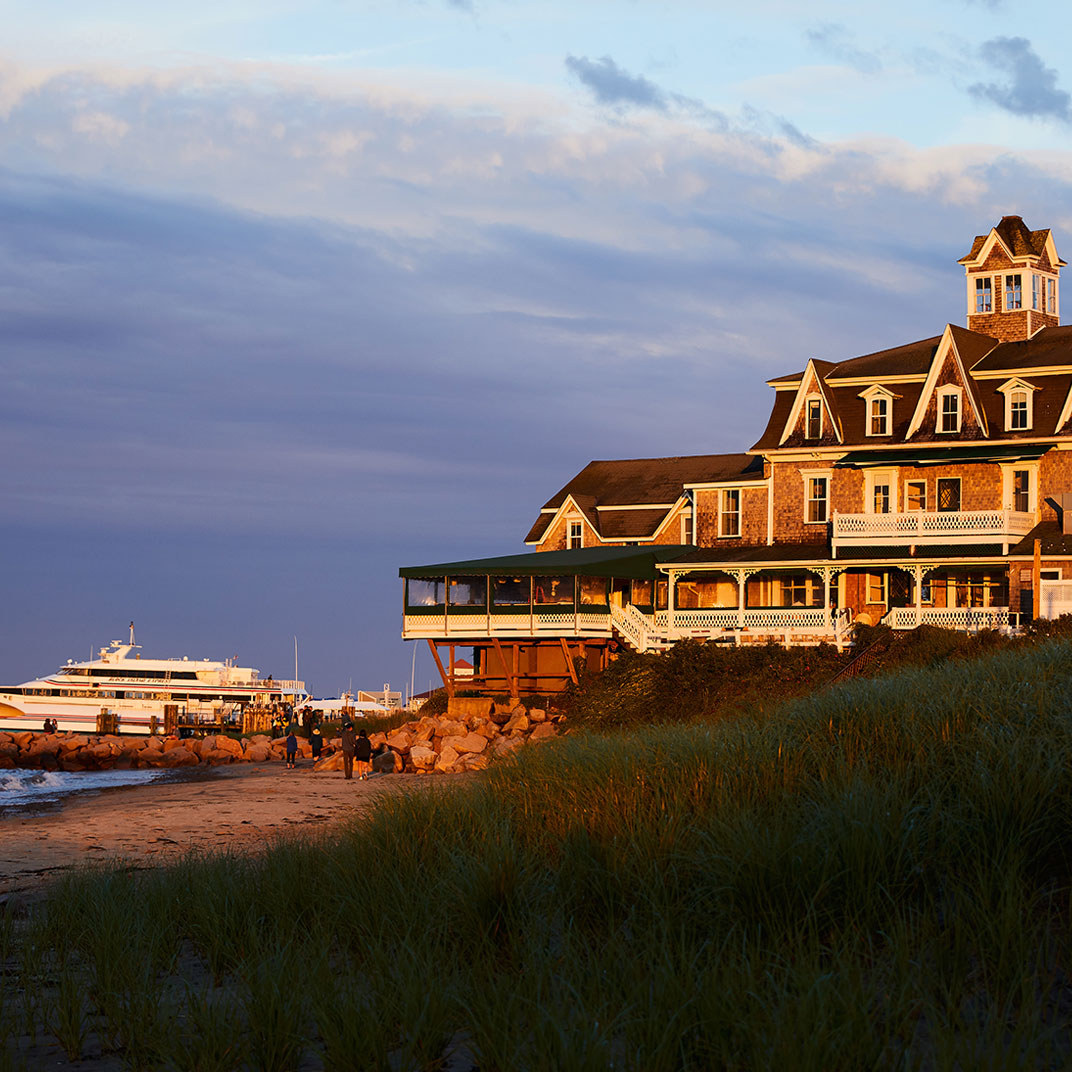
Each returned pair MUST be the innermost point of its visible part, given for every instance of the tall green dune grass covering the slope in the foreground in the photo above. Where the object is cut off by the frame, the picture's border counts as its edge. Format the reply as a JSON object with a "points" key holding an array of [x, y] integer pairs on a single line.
{"points": [[877, 876]]}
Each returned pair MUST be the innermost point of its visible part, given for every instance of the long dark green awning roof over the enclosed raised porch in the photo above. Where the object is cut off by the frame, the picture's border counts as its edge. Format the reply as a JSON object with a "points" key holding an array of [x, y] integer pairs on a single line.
{"points": [[633, 563]]}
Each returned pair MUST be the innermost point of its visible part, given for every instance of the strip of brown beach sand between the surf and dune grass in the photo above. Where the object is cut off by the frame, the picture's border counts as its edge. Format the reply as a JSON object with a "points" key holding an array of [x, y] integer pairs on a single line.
{"points": [[232, 809]]}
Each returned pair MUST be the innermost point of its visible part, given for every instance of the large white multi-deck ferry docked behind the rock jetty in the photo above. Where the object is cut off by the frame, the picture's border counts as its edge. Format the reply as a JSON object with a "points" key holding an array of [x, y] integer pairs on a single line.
{"points": [[130, 695]]}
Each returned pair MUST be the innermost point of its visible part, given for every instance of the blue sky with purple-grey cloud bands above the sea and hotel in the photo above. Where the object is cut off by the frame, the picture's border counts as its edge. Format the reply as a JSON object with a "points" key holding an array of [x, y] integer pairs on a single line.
{"points": [[295, 294]]}
